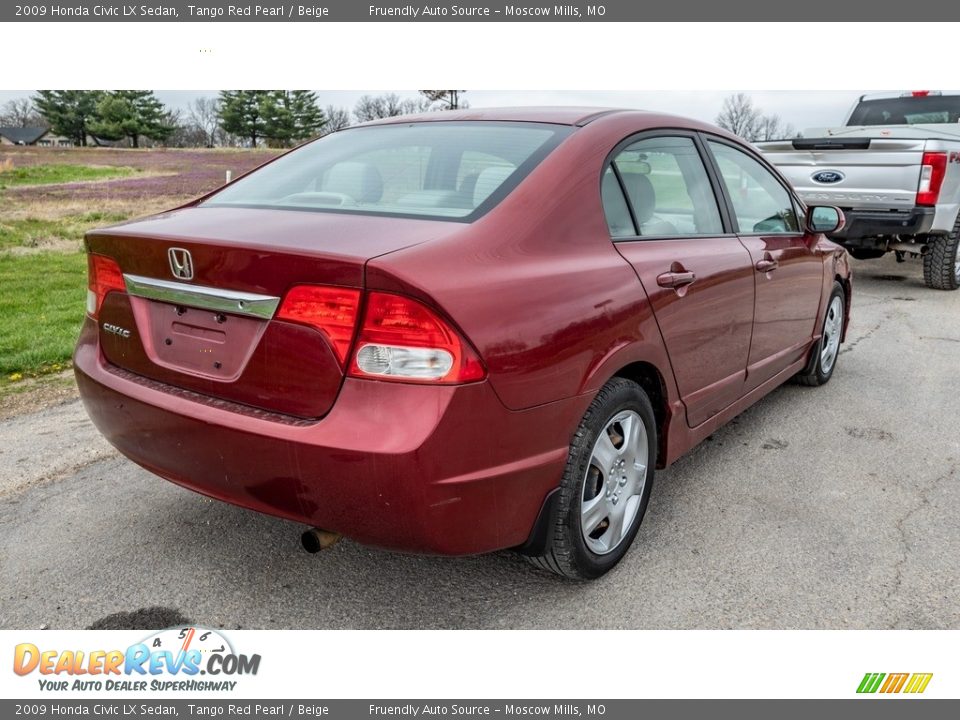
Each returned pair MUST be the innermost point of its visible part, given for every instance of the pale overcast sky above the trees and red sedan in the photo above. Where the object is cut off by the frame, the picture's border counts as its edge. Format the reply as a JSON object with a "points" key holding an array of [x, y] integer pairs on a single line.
{"points": [[801, 109]]}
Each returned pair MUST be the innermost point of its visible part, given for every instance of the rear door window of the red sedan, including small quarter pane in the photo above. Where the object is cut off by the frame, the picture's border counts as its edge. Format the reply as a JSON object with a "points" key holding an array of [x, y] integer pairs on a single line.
{"points": [[666, 186]]}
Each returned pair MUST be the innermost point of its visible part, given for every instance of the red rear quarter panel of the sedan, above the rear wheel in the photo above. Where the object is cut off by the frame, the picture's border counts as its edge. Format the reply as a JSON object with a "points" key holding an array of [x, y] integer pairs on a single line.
{"points": [[537, 285]]}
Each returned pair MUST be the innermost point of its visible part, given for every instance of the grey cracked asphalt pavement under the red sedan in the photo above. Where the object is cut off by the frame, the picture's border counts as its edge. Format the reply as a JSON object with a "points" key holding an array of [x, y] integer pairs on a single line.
{"points": [[833, 507]]}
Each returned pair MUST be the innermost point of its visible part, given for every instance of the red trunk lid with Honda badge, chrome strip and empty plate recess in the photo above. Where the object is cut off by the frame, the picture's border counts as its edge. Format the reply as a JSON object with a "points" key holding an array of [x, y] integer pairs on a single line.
{"points": [[204, 288]]}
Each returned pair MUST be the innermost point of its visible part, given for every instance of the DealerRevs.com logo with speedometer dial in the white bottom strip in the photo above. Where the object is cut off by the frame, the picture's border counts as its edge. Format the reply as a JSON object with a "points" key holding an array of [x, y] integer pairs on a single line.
{"points": [[178, 659]]}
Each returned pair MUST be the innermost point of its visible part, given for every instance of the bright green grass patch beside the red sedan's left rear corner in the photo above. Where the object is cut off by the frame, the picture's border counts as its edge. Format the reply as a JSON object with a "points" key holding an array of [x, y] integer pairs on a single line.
{"points": [[41, 310]]}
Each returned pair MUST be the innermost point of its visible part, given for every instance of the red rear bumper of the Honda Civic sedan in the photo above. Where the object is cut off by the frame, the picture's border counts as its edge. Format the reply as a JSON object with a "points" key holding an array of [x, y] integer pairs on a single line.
{"points": [[436, 469]]}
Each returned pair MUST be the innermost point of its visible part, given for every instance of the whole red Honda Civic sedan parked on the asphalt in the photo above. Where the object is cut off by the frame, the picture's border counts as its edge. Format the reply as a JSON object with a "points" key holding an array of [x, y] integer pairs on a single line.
{"points": [[461, 332]]}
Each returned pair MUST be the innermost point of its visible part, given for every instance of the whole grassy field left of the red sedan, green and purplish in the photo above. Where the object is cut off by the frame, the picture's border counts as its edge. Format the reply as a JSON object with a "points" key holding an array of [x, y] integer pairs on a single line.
{"points": [[49, 197]]}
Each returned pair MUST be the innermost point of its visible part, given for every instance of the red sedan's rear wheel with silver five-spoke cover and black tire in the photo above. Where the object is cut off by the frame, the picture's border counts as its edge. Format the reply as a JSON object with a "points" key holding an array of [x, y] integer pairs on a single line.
{"points": [[606, 484]]}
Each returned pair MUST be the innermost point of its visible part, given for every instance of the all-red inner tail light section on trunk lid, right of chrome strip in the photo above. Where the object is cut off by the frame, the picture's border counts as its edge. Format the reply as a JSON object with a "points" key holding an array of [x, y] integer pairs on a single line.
{"points": [[331, 310]]}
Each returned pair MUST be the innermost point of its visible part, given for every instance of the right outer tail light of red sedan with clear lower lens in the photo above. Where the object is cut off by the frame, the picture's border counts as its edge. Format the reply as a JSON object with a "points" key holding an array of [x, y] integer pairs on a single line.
{"points": [[403, 340]]}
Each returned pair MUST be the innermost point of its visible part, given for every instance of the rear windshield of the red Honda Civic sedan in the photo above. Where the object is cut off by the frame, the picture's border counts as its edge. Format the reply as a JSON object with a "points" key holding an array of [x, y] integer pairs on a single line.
{"points": [[445, 170]]}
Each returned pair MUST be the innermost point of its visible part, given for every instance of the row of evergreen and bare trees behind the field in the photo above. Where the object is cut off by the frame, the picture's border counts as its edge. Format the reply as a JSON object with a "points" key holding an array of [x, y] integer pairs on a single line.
{"points": [[238, 118]]}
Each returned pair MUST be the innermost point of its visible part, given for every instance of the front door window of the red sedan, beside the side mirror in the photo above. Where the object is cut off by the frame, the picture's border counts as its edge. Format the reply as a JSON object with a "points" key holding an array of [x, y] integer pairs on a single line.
{"points": [[760, 203]]}
